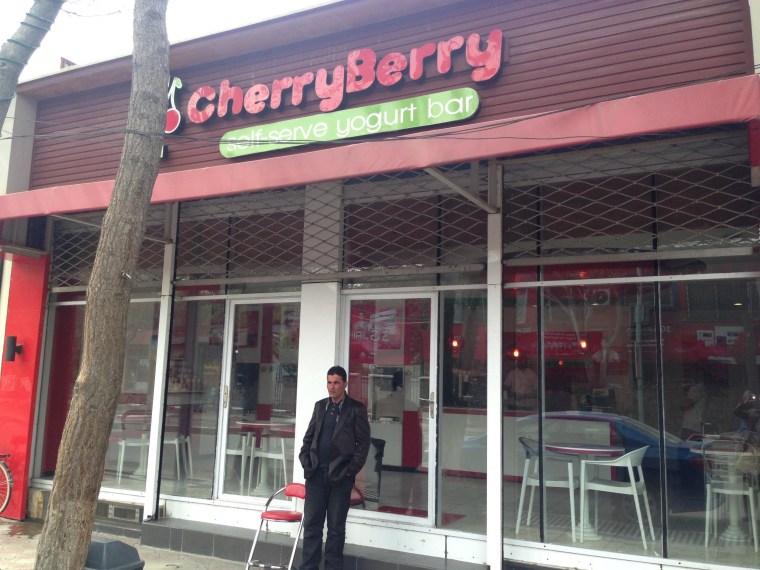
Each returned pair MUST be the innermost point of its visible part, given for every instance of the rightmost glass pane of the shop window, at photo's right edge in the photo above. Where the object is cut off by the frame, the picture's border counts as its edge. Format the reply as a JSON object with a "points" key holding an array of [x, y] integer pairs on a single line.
{"points": [[709, 339]]}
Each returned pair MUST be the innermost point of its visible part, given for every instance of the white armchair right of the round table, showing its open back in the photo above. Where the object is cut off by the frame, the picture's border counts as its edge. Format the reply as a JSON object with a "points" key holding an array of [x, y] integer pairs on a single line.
{"points": [[635, 486]]}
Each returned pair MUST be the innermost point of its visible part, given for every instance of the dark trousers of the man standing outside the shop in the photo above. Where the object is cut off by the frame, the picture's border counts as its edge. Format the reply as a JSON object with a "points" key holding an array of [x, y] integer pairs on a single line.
{"points": [[335, 499]]}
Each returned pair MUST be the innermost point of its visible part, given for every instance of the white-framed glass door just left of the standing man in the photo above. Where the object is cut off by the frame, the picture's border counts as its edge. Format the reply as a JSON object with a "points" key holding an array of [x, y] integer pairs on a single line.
{"points": [[258, 397]]}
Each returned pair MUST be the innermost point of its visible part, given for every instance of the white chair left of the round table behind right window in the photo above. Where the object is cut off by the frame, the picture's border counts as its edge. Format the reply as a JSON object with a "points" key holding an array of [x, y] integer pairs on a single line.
{"points": [[552, 479]]}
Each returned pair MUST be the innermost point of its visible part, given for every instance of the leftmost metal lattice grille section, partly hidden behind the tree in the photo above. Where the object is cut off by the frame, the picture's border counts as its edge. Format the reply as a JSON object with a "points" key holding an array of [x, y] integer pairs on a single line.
{"points": [[75, 239]]}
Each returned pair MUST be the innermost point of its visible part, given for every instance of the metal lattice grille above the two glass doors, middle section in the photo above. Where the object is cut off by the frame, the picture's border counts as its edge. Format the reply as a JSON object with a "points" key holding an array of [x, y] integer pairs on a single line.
{"points": [[397, 223]]}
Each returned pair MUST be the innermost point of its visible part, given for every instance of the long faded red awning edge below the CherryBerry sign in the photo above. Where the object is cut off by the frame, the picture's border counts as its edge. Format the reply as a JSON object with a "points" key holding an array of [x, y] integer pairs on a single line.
{"points": [[715, 103]]}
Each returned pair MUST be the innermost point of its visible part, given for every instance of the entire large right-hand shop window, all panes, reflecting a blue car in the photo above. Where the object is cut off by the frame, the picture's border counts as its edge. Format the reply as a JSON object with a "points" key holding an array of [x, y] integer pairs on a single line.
{"points": [[604, 368]]}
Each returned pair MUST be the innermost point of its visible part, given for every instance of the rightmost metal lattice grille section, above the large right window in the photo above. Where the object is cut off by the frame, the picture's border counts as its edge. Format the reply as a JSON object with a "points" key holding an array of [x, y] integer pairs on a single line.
{"points": [[686, 193]]}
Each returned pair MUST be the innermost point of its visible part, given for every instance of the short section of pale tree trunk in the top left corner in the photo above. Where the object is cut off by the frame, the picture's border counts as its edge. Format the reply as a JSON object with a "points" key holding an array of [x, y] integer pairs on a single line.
{"points": [[15, 53]]}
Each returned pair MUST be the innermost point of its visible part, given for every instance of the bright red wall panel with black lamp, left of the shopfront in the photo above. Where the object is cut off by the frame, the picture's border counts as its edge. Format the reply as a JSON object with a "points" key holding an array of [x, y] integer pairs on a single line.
{"points": [[18, 379]]}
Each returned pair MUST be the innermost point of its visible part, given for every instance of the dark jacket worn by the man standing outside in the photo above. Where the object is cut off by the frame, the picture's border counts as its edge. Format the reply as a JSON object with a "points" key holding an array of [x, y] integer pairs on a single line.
{"points": [[350, 442]]}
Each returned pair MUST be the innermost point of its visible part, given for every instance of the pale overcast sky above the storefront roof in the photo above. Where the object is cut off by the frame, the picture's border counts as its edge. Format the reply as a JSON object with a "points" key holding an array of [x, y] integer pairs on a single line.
{"points": [[103, 28]]}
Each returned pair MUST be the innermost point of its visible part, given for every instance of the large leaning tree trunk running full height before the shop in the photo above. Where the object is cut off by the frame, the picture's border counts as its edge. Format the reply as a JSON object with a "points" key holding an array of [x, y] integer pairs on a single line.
{"points": [[81, 457]]}
